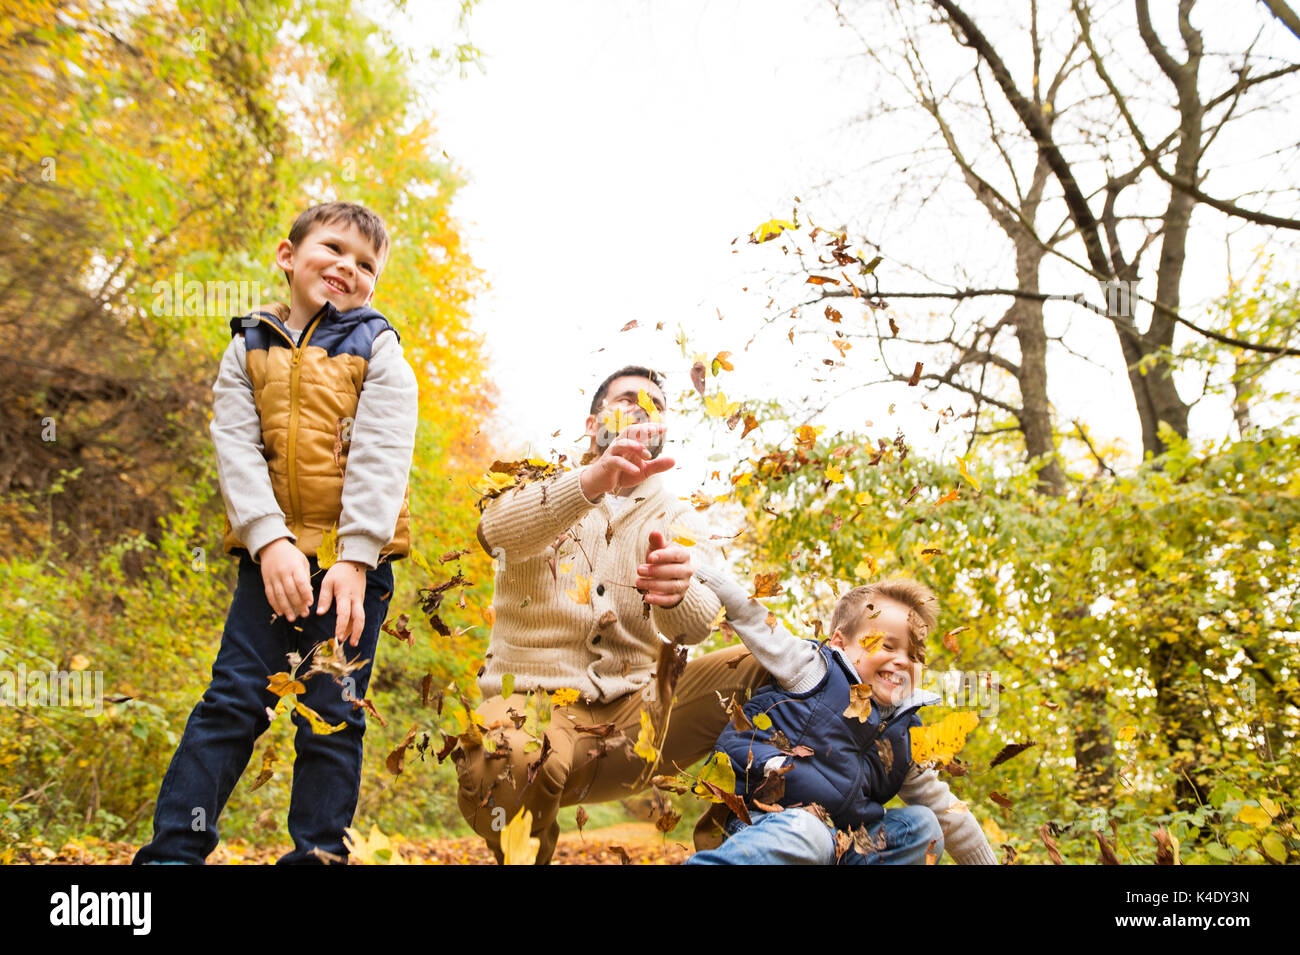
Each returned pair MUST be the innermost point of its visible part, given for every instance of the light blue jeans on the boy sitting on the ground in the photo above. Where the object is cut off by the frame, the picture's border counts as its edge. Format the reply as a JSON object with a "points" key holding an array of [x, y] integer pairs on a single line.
{"points": [[798, 837]]}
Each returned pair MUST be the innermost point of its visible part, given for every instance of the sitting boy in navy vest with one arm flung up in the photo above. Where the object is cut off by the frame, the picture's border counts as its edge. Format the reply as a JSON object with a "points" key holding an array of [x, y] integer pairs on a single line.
{"points": [[850, 767]]}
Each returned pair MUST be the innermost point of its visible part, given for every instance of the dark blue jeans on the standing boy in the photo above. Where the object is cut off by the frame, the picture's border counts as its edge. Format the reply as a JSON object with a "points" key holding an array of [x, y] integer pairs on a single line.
{"points": [[224, 727]]}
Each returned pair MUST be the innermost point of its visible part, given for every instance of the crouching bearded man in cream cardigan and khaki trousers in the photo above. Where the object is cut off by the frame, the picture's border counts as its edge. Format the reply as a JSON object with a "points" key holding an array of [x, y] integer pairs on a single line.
{"points": [[588, 578]]}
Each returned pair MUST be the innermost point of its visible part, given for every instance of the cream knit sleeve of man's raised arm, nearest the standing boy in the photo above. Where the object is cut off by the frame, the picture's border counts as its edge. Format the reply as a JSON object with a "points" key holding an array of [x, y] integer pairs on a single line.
{"points": [[523, 523]]}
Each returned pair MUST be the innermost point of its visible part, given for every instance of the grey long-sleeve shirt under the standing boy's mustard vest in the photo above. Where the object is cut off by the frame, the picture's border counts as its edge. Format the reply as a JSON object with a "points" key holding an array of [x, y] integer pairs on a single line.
{"points": [[379, 461]]}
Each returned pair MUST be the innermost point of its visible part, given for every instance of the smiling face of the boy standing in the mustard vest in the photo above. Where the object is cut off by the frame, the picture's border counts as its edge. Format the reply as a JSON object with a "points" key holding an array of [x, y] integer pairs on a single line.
{"points": [[333, 263]]}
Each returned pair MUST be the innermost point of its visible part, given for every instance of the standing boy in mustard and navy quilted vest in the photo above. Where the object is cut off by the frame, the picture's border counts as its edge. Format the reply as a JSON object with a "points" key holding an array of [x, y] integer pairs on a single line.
{"points": [[314, 424]]}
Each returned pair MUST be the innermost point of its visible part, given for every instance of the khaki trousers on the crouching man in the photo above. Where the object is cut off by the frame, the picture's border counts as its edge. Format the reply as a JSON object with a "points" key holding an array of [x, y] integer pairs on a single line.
{"points": [[590, 769]]}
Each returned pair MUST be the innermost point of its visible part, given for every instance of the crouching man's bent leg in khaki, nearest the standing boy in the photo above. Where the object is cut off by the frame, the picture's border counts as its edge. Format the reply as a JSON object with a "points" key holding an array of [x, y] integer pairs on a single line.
{"points": [[495, 787]]}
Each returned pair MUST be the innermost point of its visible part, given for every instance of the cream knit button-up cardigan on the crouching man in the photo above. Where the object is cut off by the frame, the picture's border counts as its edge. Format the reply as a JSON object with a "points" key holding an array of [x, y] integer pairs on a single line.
{"points": [[567, 614]]}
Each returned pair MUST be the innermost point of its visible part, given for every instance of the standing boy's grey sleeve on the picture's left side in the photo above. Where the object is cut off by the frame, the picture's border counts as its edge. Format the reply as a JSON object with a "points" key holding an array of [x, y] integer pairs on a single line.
{"points": [[252, 506]]}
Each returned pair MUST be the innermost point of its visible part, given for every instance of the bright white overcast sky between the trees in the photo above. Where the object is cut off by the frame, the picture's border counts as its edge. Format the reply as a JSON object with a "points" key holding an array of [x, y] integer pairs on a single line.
{"points": [[614, 153]]}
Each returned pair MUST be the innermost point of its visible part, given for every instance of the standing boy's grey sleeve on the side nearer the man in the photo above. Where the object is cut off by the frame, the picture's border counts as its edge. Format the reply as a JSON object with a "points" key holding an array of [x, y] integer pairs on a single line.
{"points": [[379, 459]]}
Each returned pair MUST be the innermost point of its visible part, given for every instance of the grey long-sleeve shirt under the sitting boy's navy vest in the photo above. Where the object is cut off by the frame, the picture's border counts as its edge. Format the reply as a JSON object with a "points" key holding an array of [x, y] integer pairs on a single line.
{"points": [[798, 667]]}
